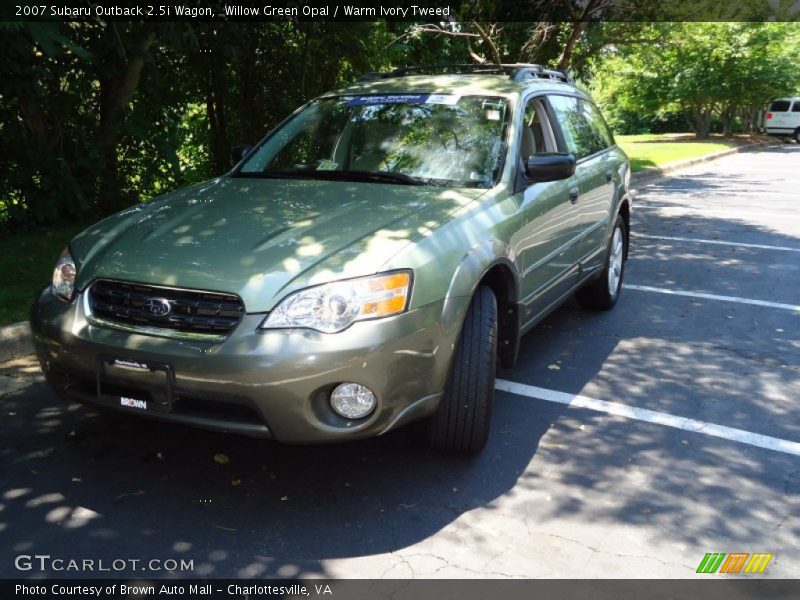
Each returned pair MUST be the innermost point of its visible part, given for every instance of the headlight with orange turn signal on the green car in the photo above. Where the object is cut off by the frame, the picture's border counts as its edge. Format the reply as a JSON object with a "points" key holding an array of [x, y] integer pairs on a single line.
{"points": [[334, 306]]}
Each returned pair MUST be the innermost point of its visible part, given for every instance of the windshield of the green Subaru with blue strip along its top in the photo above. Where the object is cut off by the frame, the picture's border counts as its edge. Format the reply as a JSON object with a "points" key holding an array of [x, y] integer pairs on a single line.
{"points": [[414, 139]]}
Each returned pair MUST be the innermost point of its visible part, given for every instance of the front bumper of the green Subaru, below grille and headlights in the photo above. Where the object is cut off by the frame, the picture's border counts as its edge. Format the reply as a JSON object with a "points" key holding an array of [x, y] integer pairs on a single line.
{"points": [[271, 384]]}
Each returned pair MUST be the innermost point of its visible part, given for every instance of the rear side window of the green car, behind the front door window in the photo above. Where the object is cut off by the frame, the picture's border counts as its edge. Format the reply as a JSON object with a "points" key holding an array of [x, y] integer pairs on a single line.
{"points": [[579, 123]]}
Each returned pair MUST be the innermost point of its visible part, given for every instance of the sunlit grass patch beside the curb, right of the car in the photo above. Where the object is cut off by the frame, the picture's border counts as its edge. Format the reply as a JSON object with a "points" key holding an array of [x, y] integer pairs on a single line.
{"points": [[656, 150]]}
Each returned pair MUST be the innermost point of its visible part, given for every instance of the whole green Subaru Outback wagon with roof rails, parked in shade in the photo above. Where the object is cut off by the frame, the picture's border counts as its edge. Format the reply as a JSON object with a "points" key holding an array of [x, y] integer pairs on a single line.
{"points": [[365, 265]]}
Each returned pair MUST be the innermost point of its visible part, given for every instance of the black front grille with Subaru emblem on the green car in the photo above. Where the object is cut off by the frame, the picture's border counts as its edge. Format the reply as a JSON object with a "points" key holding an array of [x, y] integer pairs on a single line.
{"points": [[190, 311]]}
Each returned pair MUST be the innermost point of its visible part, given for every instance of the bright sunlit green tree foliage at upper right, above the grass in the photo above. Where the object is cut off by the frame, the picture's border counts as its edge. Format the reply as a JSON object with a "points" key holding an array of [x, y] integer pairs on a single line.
{"points": [[700, 71]]}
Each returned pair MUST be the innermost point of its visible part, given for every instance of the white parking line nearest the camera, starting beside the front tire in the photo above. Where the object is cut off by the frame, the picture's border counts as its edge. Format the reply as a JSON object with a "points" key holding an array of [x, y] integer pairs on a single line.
{"points": [[650, 416]]}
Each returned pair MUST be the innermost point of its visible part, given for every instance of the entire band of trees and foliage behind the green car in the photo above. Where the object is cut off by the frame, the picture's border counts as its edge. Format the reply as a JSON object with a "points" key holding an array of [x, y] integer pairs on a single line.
{"points": [[96, 116]]}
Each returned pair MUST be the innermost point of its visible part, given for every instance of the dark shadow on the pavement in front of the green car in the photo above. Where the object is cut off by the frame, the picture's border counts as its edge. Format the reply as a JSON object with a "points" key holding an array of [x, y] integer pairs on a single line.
{"points": [[79, 484]]}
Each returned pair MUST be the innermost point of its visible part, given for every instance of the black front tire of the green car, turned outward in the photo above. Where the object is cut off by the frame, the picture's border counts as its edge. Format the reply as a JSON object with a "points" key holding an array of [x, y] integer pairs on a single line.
{"points": [[461, 424]]}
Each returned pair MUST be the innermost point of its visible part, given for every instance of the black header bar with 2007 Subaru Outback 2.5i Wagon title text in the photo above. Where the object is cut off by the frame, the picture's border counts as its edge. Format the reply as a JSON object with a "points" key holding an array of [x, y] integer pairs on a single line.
{"points": [[420, 11]]}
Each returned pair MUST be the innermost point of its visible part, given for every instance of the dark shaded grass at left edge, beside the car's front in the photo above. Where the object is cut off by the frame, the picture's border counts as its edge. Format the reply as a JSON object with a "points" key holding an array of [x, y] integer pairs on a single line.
{"points": [[26, 265]]}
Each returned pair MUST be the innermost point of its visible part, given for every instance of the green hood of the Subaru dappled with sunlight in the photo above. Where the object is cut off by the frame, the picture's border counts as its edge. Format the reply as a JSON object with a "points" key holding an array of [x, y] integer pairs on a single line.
{"points": [[262, 238]]}
